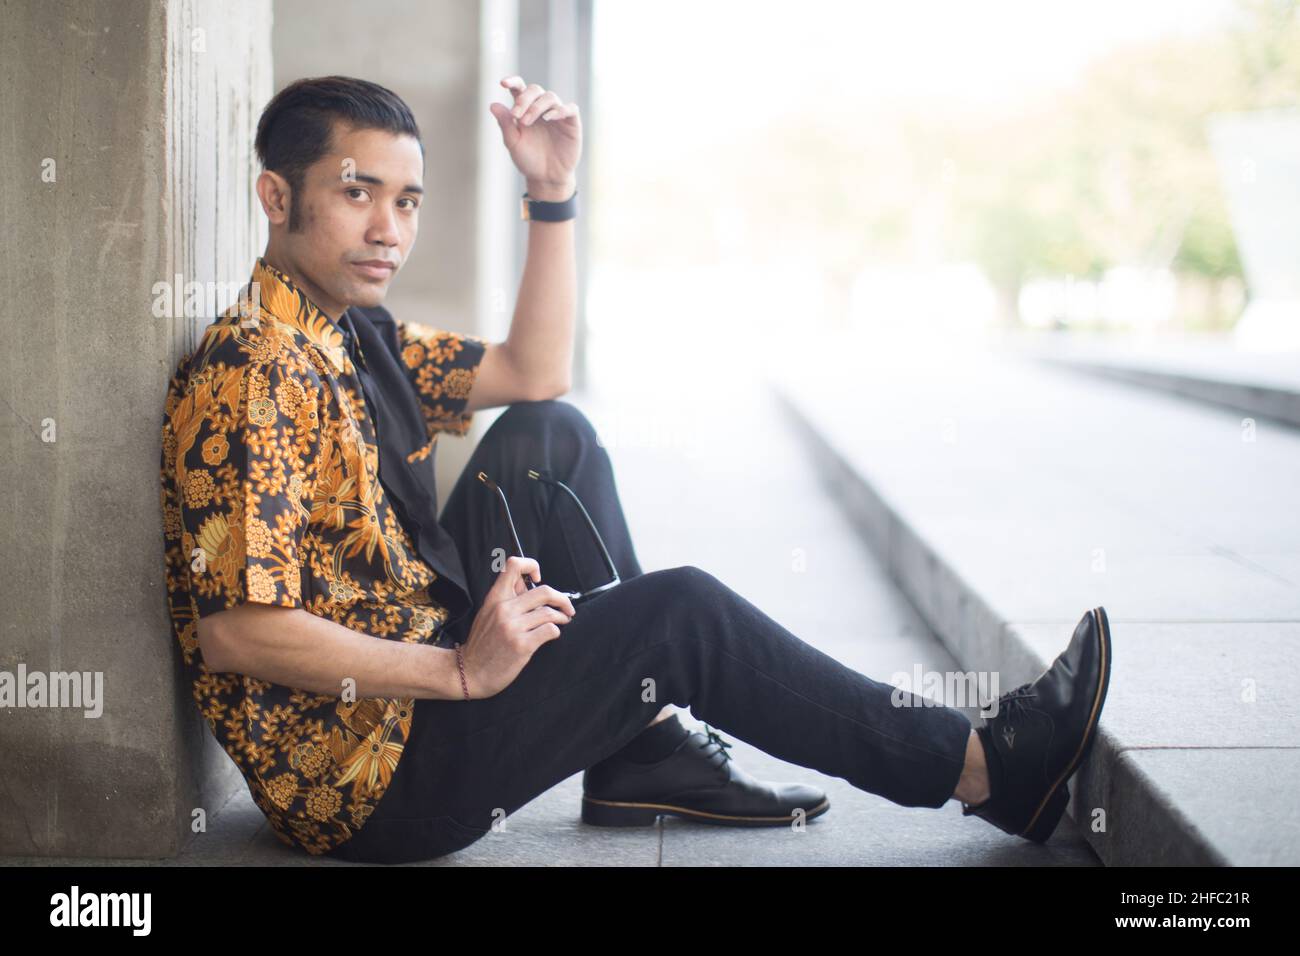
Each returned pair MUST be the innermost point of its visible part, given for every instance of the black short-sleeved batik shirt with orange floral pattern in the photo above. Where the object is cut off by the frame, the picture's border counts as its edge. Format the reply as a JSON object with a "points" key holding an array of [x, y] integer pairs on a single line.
{"points": [[271, 494]]}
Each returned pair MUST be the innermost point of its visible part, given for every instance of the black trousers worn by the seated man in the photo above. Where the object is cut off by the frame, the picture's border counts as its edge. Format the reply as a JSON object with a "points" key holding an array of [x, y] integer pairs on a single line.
{"points": [[670, 637]]}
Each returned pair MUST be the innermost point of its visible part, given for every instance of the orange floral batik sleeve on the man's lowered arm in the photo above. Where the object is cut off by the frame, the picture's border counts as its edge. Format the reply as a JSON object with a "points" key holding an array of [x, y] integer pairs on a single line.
{"points": [[248, 443]]}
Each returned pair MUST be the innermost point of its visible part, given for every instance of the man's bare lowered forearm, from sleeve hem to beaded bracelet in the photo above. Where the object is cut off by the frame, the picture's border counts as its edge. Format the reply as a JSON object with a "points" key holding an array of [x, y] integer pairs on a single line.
{"points": [[297, 648]]}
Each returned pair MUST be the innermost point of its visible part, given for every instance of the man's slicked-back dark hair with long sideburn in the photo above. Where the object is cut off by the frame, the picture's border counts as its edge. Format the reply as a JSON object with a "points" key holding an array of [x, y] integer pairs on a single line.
{"points": [[296, 128]]}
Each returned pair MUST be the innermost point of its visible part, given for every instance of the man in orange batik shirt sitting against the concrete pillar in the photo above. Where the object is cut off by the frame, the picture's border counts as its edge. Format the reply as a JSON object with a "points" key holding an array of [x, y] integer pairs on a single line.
{"points": [[392, 686]]}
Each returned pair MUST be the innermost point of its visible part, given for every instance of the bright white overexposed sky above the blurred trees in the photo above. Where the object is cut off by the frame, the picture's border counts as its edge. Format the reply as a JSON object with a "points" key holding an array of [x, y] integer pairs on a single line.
{"points": [[708, 66]]}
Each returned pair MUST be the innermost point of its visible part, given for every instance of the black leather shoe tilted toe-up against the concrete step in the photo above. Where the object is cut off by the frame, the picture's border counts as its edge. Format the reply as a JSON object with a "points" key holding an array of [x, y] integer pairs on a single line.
{"points": [[1042, 733]]}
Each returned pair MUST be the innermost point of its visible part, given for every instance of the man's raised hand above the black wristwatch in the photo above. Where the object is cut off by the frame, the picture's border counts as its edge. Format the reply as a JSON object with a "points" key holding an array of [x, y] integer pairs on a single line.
{"points": [[544, 136]]}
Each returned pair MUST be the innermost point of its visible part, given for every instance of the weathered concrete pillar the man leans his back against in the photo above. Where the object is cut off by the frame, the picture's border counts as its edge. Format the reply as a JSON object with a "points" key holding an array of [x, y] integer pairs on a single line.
{"points": [[128, 144]]}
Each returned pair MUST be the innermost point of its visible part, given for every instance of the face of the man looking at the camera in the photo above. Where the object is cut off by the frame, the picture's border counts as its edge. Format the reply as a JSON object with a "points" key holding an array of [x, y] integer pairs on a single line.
{"points": [[359, 205]]}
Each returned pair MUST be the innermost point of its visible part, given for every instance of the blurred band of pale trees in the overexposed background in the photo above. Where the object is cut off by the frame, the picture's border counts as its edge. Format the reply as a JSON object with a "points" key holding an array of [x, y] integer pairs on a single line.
{"points": [[1116, 171]]}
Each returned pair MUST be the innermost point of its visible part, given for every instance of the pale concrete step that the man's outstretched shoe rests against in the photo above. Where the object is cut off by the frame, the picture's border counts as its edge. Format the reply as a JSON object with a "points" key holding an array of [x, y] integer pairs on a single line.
{"points": [[1007, 499]]}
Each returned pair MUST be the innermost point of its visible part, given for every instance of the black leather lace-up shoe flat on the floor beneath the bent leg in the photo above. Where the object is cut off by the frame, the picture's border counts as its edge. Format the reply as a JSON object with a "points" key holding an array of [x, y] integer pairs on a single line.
{"points": [[699, 781]]}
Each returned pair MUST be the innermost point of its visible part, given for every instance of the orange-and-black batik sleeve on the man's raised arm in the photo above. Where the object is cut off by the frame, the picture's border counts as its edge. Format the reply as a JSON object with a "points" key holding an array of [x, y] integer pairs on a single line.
{"points": [[443, 367]]}
